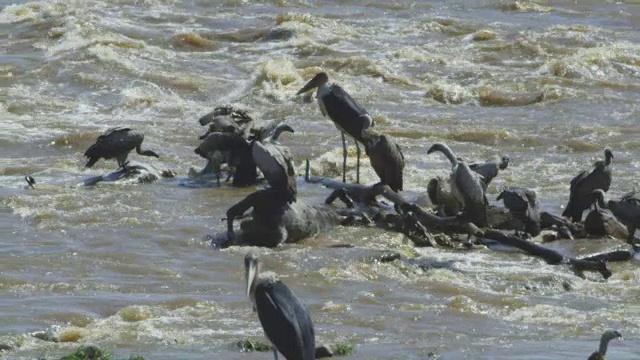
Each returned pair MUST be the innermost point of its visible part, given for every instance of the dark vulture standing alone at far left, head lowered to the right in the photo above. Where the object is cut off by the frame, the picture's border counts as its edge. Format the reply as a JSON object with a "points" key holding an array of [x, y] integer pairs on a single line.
{"points": [[116, 143]]}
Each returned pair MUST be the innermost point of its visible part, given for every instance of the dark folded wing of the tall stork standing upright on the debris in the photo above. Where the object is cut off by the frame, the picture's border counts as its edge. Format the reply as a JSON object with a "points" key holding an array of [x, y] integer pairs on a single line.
{"points": [[345, 112]]}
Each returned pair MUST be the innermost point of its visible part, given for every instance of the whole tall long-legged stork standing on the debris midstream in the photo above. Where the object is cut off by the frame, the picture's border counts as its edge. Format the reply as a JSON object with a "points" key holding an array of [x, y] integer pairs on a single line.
{"points": [[342, 109]]}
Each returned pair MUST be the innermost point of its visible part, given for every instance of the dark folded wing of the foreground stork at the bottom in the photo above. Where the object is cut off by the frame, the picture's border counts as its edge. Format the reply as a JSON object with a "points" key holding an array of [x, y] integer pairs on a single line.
{"points": [[285, 321]]}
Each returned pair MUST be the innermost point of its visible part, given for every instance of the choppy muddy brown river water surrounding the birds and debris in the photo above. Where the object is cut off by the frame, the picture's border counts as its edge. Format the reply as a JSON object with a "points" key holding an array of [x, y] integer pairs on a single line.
{"points": [[126, 266]]}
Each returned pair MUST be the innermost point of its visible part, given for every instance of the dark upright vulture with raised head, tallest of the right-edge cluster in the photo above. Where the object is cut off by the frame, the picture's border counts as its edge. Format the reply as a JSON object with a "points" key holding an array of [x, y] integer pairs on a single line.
{"points": [[583, 185]]}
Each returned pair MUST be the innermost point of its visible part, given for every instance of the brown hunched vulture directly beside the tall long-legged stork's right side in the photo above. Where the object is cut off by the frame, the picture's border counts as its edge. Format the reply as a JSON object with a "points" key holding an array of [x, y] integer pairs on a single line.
{"points": [[386, 158]]}
